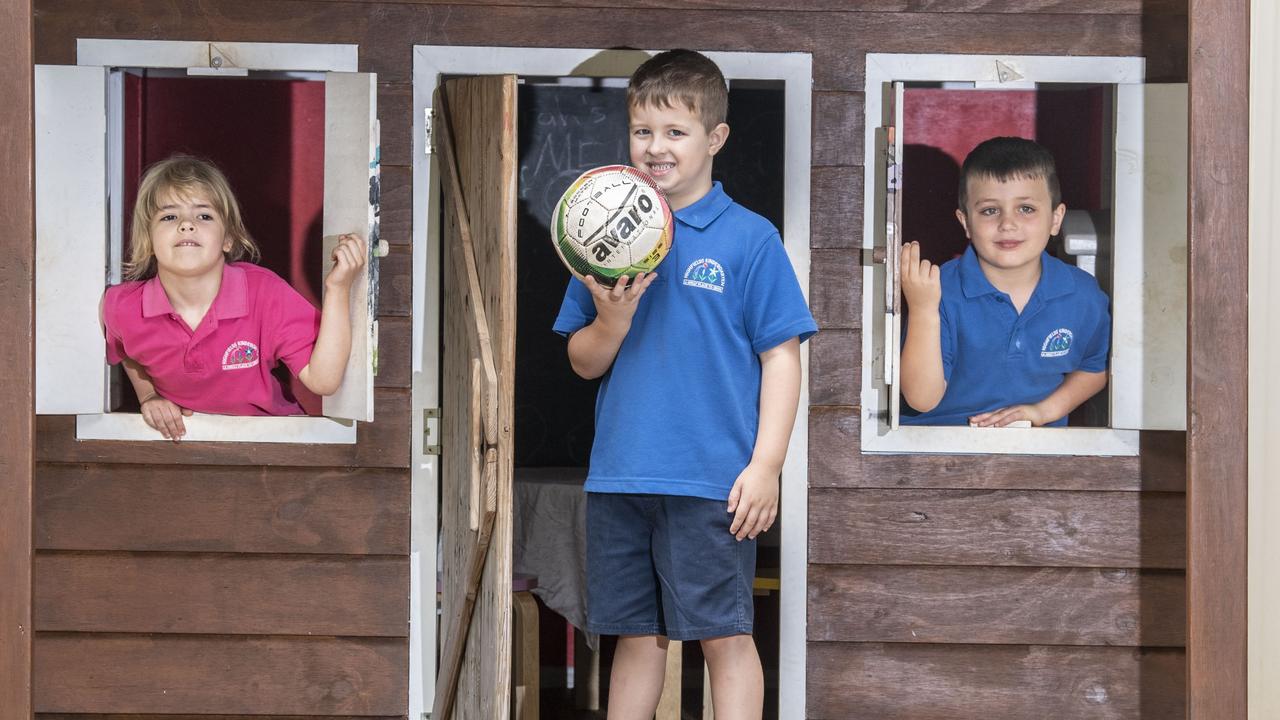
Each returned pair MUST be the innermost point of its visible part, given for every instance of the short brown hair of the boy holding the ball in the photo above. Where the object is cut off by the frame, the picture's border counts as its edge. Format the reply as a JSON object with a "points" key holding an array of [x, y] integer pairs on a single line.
{"points": [[682, 76]]}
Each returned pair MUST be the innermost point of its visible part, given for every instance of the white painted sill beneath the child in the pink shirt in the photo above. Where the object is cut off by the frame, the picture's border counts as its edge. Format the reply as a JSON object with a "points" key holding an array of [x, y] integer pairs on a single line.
{"points": [[221, 429]]}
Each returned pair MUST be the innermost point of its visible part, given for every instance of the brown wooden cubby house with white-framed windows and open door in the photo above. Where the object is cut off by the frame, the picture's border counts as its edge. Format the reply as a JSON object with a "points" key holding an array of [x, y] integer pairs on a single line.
{"points": [[362, 563]]}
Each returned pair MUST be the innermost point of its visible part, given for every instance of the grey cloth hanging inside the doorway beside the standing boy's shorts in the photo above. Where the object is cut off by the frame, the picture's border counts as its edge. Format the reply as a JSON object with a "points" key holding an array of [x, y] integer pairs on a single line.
{"points": [[550, 539]]}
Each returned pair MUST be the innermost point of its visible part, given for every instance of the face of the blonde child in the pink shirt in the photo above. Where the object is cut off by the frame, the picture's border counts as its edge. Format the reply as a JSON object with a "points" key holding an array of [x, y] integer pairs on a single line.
{"points": [[189, 236]]}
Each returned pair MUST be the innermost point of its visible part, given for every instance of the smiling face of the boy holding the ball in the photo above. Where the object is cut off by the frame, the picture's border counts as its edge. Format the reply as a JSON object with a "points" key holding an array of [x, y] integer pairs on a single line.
{"points": [[674, 147]]}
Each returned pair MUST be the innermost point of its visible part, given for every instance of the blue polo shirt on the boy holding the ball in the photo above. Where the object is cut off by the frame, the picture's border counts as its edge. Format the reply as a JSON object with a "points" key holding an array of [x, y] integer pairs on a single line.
{"points": [[678, 412]]}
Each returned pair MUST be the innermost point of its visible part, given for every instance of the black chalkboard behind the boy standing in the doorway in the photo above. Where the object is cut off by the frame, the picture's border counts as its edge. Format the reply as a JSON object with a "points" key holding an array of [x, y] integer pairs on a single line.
{"points": [[563, 133]]}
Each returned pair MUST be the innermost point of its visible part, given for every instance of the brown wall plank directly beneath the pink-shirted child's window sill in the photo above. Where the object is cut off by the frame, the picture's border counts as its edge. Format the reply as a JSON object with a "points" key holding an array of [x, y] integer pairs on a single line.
{"points": [[382, 444]]}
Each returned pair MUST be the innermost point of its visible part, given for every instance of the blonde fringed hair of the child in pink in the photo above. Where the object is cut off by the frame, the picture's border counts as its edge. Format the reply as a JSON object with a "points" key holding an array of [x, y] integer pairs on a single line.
{"points": [[184, 176]]}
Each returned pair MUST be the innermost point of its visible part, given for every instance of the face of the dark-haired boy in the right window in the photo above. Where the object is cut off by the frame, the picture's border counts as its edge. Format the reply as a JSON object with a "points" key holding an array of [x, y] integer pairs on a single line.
{"points": [[1009, 224]]}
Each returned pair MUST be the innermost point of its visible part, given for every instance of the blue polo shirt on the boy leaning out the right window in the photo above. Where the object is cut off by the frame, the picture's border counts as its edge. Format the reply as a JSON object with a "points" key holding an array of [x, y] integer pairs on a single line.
{"points": [[993, 357]]}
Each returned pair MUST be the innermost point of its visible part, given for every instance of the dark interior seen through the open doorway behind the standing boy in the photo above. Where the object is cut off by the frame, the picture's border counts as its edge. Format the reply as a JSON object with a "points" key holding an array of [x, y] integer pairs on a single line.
{"points": [[568, 126]]}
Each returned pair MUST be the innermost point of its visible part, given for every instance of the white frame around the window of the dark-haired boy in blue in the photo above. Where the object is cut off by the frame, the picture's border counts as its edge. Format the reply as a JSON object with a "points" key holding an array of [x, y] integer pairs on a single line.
{"points": [[984, 71]]}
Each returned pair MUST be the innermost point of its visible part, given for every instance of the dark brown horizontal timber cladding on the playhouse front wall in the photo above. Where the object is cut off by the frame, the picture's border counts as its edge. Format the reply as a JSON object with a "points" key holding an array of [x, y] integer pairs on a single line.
{"points": [[213, 580]]}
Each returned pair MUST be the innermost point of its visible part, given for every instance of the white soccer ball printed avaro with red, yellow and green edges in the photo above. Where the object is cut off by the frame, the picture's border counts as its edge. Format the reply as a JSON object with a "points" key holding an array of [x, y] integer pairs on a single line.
{"points": [[612, 222]]}
